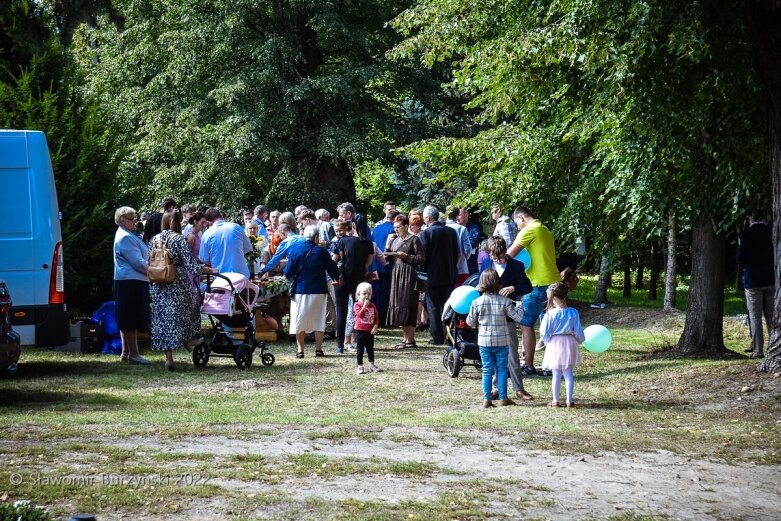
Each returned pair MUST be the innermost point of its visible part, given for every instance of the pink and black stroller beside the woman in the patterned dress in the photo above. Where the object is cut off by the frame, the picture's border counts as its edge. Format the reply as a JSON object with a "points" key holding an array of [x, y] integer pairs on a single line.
{"points": [[229, 302]]}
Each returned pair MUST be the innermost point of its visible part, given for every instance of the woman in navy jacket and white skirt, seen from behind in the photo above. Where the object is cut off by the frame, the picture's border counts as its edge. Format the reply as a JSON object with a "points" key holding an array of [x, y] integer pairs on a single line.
{"points": [[307, 266]]}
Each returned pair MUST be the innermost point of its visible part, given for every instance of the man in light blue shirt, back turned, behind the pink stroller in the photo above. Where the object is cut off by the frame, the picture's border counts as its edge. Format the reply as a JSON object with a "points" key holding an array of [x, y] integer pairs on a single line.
{"points": [[224, 244]]}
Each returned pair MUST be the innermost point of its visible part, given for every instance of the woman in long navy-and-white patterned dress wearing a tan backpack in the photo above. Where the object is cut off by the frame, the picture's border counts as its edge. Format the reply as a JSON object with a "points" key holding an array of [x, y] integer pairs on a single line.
{"points": [[175, 313]]}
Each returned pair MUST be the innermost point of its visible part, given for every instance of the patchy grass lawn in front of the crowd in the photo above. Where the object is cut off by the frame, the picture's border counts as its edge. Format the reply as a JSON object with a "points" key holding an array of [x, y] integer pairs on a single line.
{"points": [[87, 433]]}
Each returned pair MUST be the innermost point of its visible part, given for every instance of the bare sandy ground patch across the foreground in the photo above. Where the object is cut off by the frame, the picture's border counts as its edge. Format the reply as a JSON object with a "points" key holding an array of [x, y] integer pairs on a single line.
{"points": [[513, 482]]}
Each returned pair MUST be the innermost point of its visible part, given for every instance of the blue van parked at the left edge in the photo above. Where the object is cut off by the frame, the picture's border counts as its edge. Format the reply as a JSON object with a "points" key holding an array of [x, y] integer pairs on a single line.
{"points": [[31, 240]]}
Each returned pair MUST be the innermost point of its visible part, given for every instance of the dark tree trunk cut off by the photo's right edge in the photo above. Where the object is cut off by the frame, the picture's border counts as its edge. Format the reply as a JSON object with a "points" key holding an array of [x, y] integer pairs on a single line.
{"points": [[765, 20]]}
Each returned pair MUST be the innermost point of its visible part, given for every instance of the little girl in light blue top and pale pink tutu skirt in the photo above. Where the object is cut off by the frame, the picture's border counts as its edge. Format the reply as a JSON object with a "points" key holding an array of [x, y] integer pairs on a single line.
{"points": [[562, 333]]}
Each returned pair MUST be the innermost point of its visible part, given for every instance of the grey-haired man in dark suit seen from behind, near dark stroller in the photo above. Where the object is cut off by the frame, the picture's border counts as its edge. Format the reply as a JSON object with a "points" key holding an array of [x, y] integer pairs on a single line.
{"points": [[440, 243]]}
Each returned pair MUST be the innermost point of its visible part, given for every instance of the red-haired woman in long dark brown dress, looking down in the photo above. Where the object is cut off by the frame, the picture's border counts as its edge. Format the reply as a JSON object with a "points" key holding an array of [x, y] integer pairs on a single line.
{"points": [[407, 251]]}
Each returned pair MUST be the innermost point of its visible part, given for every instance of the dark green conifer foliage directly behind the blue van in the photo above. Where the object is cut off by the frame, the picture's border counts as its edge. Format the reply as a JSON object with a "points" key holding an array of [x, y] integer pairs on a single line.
{"points": [[41, 92]]}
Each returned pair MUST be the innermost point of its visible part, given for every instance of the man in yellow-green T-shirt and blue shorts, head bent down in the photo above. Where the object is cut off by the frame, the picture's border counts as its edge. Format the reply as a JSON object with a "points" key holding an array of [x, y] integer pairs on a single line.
{"points": [[538, 240]]}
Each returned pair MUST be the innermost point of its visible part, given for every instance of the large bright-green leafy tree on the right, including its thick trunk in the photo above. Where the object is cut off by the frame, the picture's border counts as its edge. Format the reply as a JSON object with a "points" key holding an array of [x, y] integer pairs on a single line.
{"points": [[615, 116]]}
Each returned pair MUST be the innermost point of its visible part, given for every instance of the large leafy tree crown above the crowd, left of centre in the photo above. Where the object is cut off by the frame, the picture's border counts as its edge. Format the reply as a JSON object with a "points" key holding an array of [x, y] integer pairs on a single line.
{"points": [[242, 101]]}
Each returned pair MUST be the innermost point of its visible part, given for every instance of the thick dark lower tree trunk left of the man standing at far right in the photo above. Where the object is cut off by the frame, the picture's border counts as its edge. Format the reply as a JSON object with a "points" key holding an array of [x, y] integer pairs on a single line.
{"points": [[703, 330]]}
